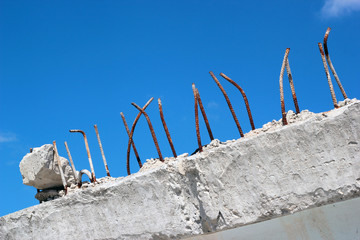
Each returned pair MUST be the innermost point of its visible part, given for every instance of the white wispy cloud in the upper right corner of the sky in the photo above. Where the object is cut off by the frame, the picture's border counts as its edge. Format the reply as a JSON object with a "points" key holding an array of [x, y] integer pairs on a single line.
{"points": [[337, 8]]}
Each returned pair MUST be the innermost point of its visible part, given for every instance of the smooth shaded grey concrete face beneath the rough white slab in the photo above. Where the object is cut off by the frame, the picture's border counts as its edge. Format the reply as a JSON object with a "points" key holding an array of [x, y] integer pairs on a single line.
{"points": [[330, 222]]}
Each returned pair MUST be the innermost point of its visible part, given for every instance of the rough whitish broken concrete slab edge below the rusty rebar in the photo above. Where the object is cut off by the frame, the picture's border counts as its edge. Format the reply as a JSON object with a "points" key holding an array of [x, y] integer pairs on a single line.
{"points": [[308, 163]]}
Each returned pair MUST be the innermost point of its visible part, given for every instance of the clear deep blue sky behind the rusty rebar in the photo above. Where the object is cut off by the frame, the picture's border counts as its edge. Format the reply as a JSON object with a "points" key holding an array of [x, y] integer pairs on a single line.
{"points": [[69, 65]]}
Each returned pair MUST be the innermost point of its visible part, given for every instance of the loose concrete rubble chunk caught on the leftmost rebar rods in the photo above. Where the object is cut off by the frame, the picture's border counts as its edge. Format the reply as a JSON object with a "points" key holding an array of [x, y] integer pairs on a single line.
{"points": [[40, 170]]}
